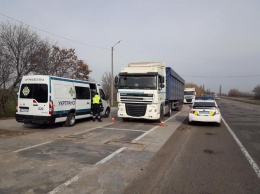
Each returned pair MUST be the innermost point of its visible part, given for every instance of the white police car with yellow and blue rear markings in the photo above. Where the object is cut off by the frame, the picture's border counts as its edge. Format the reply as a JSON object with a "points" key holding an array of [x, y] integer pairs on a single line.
{"points": [[205, 111]]}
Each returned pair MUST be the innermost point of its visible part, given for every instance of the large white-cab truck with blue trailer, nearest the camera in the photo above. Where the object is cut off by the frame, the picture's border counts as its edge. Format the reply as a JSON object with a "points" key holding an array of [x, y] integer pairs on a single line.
{"points": [[148, 90]]}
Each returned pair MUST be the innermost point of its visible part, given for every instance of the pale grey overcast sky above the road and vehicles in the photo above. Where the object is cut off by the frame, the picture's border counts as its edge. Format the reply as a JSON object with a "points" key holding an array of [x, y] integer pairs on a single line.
{"points": [[207, 42]]}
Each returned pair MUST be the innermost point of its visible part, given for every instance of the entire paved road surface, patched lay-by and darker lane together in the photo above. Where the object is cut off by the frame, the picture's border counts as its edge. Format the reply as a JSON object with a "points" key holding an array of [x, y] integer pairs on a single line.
{"points": [[134, 157]]}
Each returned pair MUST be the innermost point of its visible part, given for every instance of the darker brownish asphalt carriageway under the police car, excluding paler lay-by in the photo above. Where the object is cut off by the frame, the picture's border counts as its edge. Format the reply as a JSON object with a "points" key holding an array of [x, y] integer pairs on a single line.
{"points": [[204, 158]]}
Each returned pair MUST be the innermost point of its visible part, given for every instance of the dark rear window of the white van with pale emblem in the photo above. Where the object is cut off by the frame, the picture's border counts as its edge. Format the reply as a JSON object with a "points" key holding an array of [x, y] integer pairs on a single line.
{"points": [[39, 92]]}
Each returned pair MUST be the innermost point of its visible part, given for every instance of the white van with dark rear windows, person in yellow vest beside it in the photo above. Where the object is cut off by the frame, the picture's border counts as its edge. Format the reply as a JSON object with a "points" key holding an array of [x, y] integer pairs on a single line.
{"points": [[44, 99]]}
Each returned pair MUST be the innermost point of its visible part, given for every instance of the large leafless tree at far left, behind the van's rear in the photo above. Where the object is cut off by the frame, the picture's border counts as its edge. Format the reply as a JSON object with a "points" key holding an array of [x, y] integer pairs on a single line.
{"points": [[19, 48]]}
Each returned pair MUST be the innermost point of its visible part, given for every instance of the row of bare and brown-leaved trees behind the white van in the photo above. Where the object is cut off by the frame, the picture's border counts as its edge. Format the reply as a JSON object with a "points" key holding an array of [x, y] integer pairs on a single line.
{"points": [[24, 52]]}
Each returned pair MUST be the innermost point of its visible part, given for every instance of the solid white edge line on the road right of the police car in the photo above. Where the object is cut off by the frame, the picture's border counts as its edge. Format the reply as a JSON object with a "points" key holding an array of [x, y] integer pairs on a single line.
{"points": [[243, 149]]}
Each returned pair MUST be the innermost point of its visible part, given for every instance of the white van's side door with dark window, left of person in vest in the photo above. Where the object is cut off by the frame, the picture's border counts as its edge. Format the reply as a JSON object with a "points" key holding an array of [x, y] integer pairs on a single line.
{"points": [[83, 101]]}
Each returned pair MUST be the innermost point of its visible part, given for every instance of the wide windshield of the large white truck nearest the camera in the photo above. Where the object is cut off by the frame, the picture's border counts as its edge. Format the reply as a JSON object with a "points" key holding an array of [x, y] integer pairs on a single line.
{"points": [[139, 82]]}
